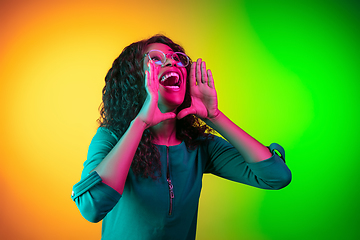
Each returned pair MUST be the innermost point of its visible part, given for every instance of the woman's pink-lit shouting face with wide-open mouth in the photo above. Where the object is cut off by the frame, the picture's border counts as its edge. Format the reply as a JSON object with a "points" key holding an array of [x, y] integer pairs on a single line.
{"points": [[172, 79]]}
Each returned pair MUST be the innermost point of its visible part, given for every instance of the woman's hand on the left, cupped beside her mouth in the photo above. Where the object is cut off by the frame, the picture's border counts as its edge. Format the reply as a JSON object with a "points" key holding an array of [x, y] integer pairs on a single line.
{"points": [[150, 113]]}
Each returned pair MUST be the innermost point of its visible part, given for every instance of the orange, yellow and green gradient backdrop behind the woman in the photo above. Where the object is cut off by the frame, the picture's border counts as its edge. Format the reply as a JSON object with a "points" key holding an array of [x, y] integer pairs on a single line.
{"points": [[285, 72]]}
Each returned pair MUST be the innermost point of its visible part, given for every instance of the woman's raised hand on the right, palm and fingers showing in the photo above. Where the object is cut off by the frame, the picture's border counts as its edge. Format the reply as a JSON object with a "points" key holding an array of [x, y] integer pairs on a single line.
{"points": [[203, 94]]}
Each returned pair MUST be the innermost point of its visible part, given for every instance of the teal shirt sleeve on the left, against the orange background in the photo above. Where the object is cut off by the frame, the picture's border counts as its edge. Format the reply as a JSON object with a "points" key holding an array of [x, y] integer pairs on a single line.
{"points": [[94, 198]]}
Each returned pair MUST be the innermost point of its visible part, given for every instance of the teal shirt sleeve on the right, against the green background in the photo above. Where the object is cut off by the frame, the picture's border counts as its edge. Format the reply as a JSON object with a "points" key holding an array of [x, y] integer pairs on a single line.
{"points": [[225, 161]]}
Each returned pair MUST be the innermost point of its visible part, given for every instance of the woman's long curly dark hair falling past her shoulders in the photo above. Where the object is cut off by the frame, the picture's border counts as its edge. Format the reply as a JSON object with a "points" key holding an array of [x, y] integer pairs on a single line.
{"points": [[124, 95]]}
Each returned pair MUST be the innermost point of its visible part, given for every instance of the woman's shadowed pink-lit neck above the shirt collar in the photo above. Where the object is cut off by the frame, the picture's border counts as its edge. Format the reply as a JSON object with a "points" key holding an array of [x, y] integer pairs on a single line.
{"points": [[165, 133]]}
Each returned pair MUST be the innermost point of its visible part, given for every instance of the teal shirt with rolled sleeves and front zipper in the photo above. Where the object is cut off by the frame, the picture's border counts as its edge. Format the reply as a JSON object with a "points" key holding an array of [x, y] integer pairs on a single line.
{"points": [[147, 209]]}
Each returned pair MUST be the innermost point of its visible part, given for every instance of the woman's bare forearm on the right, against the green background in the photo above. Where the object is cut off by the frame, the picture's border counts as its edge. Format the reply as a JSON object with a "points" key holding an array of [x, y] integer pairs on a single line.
{"points": [[249, 147]]}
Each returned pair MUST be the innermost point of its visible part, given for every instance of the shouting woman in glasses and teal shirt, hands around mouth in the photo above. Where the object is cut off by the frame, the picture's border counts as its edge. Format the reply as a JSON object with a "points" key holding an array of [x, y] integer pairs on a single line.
{"points": [[144, 169]]}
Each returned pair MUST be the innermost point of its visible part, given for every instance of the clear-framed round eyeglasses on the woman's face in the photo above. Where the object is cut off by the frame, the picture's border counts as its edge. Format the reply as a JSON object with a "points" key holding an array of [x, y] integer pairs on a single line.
{"points": [[159, 58]]}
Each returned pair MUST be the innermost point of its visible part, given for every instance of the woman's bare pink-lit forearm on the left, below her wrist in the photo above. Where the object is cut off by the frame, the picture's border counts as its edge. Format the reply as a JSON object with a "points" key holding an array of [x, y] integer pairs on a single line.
{"points": [[114, 168]]}
